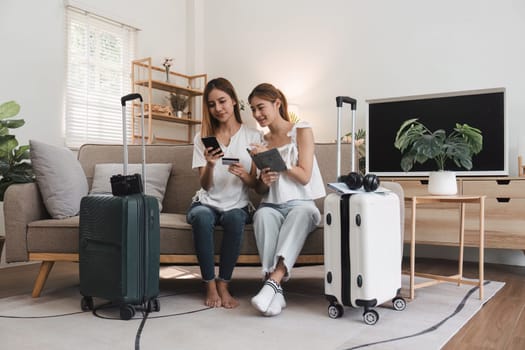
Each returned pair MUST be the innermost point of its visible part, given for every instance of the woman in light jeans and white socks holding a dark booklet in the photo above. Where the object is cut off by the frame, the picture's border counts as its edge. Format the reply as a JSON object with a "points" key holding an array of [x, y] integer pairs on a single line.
{"points": [[287, 214]]}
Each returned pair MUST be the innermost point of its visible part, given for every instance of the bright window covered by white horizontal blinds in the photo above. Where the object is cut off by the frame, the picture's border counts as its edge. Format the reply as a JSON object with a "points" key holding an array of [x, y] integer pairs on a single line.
{"points": [[99, 55]]}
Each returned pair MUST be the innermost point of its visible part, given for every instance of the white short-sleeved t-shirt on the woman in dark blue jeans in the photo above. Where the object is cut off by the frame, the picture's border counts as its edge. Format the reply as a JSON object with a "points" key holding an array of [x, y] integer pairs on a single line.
{"points": [[228, 191]]}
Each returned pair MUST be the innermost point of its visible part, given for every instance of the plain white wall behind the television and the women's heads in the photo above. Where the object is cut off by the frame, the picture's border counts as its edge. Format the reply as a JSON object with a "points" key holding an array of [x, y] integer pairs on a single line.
{"points": [[315, 51]]}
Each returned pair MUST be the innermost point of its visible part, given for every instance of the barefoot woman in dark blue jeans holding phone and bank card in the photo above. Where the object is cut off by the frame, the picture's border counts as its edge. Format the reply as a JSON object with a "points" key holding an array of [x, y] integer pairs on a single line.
{"points": [[223, 197]]}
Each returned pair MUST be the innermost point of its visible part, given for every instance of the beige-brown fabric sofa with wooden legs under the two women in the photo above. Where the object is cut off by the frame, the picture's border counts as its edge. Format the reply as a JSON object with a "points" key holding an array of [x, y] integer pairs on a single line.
{"points": [[31, 235]]}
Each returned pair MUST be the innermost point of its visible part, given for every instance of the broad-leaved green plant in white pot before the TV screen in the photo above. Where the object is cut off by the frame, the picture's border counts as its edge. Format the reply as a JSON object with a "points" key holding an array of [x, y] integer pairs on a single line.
{"points": [[418, 144]]}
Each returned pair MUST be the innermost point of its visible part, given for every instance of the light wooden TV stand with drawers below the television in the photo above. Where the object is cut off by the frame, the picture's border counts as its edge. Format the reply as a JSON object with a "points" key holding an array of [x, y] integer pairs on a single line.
{"points": [[437, 222]]}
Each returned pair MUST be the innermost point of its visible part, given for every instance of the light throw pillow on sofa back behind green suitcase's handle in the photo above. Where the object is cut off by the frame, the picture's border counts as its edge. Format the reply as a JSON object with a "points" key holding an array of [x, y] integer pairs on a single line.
{"points": [[157, 175]]}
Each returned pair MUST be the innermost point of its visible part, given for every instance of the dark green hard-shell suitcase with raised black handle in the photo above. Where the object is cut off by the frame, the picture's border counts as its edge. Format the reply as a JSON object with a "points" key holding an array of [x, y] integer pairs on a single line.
{"points": [[119, 243]]}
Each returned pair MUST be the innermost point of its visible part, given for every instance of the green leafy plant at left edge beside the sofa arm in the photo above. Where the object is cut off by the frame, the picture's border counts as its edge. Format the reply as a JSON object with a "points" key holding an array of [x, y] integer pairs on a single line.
{"points": [[14, 159]]}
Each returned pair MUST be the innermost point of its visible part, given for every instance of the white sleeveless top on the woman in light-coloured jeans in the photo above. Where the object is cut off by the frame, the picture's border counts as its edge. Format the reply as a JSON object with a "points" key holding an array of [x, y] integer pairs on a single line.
{"points": [[285, 188]]}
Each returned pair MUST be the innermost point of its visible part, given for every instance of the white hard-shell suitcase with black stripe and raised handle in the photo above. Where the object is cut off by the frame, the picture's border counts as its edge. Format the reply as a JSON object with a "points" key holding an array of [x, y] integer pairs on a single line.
{"points": [[362, 253]]}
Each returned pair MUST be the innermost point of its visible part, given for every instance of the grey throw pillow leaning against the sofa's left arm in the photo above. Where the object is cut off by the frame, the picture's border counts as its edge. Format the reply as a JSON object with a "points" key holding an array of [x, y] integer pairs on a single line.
{"points": [[60, 177]]}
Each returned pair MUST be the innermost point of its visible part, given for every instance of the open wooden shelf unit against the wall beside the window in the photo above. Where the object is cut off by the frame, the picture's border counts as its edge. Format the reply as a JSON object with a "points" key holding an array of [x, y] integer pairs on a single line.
{"points": [[150, 82]]}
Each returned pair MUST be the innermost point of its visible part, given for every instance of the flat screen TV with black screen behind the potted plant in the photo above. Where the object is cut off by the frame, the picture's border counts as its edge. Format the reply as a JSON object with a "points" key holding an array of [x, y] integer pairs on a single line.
{"points": [[482, 109]]}
